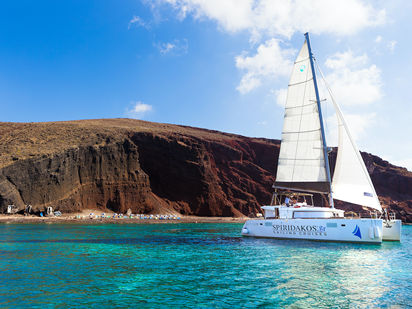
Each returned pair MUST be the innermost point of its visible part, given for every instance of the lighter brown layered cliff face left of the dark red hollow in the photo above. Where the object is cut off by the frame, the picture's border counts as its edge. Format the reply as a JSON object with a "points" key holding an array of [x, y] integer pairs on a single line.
{"points": [[104, 176]]}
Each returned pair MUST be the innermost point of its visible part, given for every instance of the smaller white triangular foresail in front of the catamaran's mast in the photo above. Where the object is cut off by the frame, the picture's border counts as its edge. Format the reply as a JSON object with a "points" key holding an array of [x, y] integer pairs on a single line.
{"points": [[351, 181]]}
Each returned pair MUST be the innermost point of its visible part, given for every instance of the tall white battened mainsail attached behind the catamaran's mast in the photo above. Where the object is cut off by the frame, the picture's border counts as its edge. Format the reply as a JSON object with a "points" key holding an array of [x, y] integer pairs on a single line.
{"points": [[301, 164]]}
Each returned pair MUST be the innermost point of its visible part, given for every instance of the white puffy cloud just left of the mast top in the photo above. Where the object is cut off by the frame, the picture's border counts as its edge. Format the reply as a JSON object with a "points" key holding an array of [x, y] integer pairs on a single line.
{"points": [[269, 62]]}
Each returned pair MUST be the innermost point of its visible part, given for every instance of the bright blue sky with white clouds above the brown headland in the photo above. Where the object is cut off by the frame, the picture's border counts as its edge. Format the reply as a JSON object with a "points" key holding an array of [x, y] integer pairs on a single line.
{"points": [[221, 65]]}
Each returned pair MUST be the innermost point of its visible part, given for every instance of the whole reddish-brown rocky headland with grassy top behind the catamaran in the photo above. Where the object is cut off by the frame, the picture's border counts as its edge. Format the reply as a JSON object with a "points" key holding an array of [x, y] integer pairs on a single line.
{"points": [[118, 164]]}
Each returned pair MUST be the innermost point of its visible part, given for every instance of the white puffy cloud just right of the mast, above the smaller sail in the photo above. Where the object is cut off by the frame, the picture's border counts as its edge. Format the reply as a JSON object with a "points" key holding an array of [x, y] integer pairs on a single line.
{"points": [[352, 80]]}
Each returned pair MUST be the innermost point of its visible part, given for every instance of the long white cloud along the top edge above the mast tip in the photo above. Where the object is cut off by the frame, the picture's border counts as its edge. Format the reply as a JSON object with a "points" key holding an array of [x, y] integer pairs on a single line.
{"points": [[283, 17]]}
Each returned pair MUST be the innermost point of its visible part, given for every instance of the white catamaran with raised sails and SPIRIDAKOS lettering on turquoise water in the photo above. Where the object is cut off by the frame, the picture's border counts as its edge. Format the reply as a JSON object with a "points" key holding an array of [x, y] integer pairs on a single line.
{"points": [[303, 169]]}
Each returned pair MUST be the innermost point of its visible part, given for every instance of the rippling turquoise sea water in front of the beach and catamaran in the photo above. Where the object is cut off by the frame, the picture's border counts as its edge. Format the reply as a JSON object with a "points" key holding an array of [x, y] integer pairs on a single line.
{"points": [[195, 265]]}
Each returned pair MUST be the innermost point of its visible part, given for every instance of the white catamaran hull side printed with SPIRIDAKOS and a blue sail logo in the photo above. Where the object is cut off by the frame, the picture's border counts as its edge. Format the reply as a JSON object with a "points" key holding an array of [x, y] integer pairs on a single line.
{"points": [[337, 230]]}
